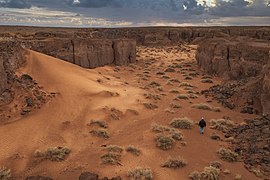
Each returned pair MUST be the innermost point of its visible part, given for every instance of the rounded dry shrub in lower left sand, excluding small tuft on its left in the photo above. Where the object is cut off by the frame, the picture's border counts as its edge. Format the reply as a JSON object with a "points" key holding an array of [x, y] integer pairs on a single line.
{"points": [[57, 153]]}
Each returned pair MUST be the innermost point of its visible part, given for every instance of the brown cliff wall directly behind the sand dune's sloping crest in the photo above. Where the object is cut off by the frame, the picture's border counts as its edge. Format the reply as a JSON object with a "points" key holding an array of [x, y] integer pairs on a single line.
{"points": [[88, 53]]}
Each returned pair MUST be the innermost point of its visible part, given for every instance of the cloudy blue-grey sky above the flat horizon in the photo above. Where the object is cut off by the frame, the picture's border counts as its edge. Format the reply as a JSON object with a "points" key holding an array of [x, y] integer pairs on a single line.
{"points": [[130, 13]]}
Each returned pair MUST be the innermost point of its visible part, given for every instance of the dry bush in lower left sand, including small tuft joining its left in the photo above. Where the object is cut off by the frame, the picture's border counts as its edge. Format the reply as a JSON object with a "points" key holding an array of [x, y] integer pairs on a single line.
{"points": [[53, 153]]}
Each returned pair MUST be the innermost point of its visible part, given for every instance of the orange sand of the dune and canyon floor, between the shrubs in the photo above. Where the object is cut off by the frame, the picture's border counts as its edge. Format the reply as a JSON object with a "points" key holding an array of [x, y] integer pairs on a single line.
{"points": [[83, 95]]}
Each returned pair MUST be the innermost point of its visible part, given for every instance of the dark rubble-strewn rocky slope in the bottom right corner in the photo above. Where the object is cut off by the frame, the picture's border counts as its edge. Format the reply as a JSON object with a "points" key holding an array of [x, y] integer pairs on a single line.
{"points": [[252, 143]]}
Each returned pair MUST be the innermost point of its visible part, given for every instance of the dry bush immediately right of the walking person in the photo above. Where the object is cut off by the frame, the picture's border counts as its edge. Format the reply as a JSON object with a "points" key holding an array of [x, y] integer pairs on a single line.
{"points": [[221, 124]]}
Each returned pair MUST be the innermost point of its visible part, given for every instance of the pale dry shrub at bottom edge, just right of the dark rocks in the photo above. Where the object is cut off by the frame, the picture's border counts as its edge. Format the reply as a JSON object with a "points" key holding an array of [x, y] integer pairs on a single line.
{"points": [[140, 173]]}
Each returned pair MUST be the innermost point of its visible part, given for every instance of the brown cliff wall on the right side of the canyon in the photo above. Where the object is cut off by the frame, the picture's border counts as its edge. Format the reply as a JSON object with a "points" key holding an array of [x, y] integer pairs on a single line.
{"points": [[248, 63]]}
